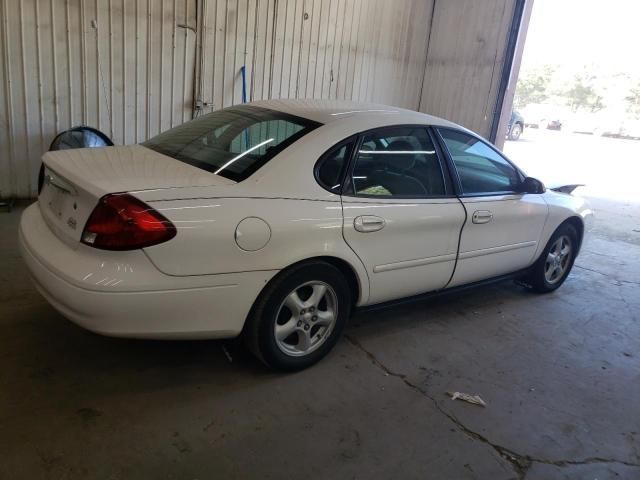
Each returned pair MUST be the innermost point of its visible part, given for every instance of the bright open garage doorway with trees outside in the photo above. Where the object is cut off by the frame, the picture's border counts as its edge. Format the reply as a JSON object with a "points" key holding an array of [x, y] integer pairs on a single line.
{"points": [[576, 111]]}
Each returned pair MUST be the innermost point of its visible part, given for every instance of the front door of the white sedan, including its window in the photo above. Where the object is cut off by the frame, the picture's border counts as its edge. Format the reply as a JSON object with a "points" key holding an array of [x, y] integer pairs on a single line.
{"points": [[503, 225]]}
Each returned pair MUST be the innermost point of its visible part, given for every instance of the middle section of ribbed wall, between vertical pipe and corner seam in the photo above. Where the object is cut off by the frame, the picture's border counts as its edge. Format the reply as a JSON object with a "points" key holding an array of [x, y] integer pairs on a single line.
{"points": [[371, 50]]}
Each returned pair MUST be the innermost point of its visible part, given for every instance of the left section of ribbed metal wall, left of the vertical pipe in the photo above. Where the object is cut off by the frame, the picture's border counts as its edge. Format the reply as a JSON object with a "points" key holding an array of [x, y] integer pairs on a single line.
{"points": [[123, 66]]}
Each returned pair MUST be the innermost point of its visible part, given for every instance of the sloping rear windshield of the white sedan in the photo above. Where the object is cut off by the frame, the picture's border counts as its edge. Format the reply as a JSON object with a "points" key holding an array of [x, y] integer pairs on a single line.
{"points": [[233, 142]]}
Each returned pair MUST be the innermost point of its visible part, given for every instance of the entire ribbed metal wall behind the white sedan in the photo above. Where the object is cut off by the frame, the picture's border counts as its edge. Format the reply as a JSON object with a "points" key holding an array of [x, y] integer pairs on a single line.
{"points": [[133, 68]]}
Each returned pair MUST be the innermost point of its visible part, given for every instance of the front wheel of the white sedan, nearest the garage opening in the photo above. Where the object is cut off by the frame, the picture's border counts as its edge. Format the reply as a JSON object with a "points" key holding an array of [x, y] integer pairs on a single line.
{"points": [[553, 267]]}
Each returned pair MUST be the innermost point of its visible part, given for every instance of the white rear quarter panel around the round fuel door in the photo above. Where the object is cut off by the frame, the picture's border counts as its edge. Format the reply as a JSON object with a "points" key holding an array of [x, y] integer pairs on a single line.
{"points": [[206, 243]]}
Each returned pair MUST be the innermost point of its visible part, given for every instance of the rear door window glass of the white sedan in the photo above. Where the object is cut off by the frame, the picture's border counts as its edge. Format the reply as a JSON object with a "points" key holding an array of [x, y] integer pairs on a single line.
{"points": [[397, 162]]}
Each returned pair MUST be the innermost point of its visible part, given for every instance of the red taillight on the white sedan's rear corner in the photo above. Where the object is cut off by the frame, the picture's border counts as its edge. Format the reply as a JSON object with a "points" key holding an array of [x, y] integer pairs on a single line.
{"points": [[122, 222]]}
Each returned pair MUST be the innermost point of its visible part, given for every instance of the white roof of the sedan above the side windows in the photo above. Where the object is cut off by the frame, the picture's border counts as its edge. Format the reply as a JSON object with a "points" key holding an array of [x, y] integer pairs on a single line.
{"points": [[331, 111]]}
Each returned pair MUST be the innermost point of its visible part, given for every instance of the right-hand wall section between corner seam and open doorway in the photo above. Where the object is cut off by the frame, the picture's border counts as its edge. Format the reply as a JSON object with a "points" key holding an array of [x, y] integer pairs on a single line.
{"points": [[464, 62]]}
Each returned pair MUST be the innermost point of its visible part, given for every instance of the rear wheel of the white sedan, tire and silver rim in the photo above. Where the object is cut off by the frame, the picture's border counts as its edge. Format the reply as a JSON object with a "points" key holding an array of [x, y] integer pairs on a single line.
{"points": [[299, 316]]}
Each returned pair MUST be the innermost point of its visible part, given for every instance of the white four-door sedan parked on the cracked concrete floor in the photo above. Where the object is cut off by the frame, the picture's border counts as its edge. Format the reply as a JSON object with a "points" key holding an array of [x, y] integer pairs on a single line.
{"points": [[276, 219]]}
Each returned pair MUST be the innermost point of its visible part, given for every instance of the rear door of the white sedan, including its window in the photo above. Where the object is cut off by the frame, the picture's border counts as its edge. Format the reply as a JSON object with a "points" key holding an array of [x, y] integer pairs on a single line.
{"points": [[401, 216]]}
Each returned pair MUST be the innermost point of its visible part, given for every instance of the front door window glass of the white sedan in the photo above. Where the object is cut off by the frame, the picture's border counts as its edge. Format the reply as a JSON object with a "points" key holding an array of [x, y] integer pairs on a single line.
{"points": [[480, 168]]}
